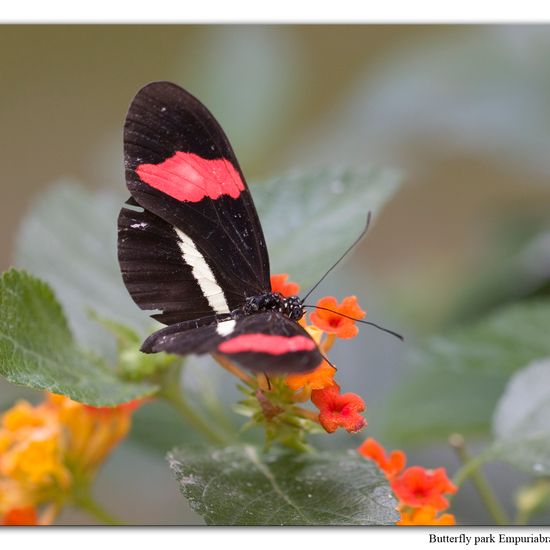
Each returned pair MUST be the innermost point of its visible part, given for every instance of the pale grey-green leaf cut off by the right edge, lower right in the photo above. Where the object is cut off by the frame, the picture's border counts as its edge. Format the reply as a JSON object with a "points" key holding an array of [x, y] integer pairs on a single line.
{"points": [[521, 422]]}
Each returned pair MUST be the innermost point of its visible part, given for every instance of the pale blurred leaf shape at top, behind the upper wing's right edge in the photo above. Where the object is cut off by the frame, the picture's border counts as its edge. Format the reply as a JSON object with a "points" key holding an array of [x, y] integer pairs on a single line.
{"points": [[250, 79]]}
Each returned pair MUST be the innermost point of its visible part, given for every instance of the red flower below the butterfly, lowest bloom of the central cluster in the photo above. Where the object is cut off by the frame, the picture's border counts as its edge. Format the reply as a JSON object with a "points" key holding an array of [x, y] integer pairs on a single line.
{"points": [[339, 410]]}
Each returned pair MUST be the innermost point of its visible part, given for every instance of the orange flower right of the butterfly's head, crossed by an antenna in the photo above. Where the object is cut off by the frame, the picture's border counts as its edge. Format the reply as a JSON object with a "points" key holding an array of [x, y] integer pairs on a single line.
{"points": [[333, 323]]}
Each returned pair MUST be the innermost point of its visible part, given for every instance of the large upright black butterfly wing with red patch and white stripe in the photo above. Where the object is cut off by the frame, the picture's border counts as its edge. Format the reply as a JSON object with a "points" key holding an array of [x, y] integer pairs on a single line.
{"points": [[195, 248]]}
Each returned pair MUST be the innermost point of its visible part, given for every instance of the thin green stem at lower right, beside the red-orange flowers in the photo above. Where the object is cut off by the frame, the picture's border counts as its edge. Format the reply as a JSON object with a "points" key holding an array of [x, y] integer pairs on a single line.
{"points": [[471, 468]]}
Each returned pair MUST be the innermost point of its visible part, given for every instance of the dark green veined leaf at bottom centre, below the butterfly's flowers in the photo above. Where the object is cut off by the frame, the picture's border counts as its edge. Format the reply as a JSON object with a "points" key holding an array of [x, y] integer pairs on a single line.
{"points": [[241, 486]]}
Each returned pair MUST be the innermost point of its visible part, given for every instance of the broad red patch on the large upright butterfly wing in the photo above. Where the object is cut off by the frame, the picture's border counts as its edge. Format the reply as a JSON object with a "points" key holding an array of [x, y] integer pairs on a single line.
{"points": [[188, 177]]}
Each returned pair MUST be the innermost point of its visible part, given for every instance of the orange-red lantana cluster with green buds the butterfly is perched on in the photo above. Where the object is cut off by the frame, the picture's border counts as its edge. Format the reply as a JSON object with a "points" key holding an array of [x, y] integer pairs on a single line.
{"points": [[275, 401]]}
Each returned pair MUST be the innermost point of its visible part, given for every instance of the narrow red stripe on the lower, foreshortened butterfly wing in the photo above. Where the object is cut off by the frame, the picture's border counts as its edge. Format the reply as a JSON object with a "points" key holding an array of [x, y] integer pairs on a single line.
{"points": [[266, 343]]}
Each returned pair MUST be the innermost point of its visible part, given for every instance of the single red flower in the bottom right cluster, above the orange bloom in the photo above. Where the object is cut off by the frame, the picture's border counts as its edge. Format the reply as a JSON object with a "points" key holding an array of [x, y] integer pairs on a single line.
{"points": [[418, 487]]}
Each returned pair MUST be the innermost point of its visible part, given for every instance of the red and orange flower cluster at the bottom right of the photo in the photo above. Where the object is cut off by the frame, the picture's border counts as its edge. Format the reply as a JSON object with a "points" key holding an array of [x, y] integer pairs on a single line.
{"points": [[419, 491]]}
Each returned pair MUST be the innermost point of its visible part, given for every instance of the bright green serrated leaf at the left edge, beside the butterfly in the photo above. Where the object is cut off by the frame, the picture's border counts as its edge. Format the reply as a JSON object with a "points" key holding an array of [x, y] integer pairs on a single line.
{"points": [[38, 350]]}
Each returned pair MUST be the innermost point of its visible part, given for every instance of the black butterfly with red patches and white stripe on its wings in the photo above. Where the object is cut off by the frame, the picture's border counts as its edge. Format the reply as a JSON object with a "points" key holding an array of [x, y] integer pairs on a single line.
{"points": [[191, 246]]}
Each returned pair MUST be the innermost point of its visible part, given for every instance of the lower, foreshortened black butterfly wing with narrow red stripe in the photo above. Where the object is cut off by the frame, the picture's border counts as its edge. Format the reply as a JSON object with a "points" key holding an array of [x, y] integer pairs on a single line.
{"points": [[264, 342]]}
